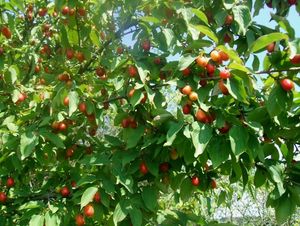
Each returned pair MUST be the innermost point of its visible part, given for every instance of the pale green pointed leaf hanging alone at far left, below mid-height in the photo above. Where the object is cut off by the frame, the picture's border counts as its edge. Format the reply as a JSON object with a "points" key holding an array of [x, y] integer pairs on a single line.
{"points": [[28, 142]]}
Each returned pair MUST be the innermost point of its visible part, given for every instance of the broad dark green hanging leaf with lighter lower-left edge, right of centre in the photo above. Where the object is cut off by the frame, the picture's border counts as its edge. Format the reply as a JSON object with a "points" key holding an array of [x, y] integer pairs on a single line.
{"points": [[238, 136]]}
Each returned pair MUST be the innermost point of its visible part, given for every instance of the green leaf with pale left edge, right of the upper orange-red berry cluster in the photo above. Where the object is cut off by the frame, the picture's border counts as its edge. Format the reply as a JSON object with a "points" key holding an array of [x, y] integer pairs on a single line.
{"points": [[236, 88]]}
